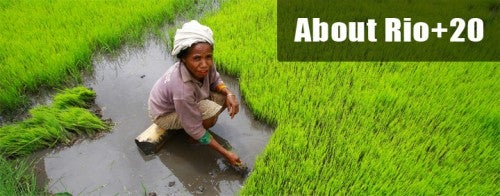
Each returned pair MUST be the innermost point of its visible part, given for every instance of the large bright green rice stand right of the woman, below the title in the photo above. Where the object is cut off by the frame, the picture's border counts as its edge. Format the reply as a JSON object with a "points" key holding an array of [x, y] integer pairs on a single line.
{"points": [[400, 128]]}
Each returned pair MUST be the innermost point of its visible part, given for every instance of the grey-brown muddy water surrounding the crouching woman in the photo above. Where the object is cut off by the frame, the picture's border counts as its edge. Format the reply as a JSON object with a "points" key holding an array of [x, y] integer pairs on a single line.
{"points": [[112, 164]]}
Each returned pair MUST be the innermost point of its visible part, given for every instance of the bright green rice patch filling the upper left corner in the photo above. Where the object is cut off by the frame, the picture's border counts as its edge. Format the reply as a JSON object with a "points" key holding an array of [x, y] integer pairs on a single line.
{"points": [[48, 43]]}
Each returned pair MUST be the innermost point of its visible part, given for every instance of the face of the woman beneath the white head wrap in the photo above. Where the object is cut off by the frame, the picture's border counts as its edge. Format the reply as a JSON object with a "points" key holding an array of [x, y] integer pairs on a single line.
{"points": [[199, 60]]}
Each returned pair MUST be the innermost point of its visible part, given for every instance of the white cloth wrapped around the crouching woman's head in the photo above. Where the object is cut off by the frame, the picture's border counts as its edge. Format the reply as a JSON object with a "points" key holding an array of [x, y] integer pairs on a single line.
{"points": [[190, 33]]}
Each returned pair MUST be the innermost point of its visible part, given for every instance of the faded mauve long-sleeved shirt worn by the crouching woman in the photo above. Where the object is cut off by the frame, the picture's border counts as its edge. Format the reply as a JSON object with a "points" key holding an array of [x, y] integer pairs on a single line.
{"points": [[177, 91]]}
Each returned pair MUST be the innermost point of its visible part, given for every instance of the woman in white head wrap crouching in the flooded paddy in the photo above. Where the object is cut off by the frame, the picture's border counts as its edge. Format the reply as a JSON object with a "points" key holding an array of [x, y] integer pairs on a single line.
{"points": [[191, 94]]}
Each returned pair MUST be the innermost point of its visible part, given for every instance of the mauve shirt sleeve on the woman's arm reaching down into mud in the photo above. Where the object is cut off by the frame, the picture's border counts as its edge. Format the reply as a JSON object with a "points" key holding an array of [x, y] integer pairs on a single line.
{"points": [[190, 117]]}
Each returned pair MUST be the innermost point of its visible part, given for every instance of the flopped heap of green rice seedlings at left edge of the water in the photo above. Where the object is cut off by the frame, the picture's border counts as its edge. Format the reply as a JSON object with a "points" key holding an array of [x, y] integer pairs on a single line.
{"points": [[50, 125]]}
